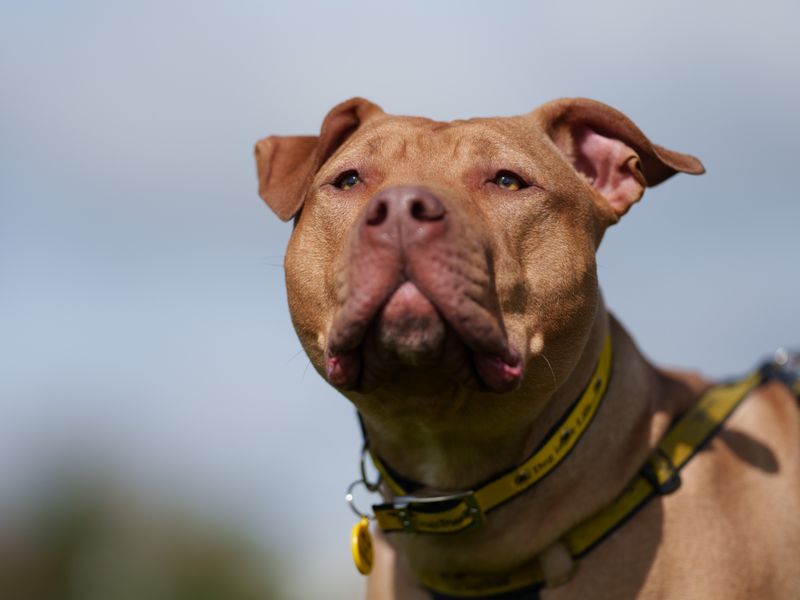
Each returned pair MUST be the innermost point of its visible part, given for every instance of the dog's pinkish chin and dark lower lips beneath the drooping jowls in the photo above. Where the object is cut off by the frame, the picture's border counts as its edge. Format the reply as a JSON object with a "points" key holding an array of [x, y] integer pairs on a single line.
{"points": [[410, 345]]}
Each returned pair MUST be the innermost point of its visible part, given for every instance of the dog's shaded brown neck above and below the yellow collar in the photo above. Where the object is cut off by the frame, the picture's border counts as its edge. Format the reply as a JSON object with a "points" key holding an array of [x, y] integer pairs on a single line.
{"points": [[638, 407]]}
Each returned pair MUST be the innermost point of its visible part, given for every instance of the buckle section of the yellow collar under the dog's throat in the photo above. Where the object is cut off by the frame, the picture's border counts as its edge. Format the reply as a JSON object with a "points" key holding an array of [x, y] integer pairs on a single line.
{"points": [[437, 514]]}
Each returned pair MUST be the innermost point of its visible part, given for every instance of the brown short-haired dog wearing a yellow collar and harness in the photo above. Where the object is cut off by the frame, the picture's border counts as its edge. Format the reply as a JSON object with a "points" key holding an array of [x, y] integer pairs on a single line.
{"points": [[443, 277]]}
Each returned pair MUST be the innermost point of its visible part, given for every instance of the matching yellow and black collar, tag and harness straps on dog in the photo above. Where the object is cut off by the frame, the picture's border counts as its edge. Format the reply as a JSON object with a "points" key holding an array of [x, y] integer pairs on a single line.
{"points": [[459, 512]]}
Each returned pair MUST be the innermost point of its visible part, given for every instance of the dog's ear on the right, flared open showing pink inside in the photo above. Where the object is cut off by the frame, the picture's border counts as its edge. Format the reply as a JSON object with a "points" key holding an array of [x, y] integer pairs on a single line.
{"points": [[612, 153]]}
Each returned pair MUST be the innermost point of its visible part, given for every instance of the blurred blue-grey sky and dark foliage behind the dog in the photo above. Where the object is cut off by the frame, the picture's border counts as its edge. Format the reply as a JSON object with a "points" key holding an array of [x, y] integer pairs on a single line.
{"points": [[162, 436]]}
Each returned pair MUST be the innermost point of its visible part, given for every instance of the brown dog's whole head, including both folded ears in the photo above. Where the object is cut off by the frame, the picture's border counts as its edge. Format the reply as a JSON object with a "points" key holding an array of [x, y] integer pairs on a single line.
{"points": [[434, 265]]}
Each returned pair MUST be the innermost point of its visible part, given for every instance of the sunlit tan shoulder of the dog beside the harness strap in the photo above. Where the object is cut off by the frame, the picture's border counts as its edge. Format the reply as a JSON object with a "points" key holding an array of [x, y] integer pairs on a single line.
{"points": [[734, 524]]}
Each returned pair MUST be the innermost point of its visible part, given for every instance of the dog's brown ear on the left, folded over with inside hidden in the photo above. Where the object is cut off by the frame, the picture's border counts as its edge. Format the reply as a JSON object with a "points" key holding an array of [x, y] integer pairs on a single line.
{"points": [[287, 164]]}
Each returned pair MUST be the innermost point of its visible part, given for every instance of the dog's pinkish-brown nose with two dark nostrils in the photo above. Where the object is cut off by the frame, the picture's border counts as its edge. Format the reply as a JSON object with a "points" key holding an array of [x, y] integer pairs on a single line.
{"points": [[412, 211]]}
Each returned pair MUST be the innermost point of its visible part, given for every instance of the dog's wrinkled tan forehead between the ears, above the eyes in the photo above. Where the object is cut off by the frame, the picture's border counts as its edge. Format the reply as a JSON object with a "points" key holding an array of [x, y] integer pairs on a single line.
{"points": [[419, 141]]}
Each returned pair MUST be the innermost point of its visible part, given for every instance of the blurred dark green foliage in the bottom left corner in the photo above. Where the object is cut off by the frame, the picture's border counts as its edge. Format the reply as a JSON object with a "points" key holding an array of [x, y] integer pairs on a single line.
{"points": [[89, 542]]}
